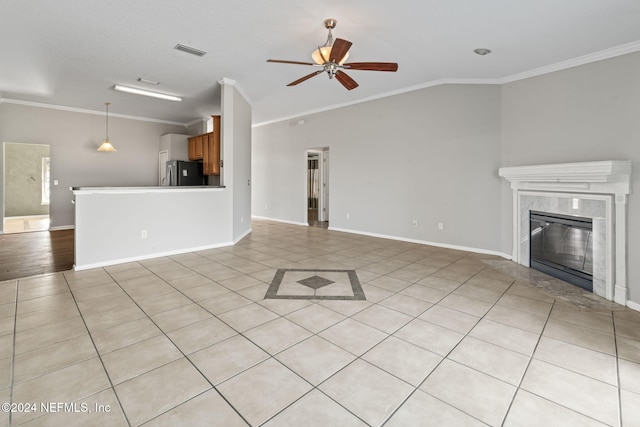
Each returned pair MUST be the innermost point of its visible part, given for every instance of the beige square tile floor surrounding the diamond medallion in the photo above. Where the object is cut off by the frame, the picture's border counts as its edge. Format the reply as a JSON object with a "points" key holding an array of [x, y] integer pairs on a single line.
{"points": [[443, 339]]}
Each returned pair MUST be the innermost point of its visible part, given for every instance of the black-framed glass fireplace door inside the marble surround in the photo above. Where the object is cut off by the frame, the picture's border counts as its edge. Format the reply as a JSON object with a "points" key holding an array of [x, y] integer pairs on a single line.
{"points": [[561, 245]]}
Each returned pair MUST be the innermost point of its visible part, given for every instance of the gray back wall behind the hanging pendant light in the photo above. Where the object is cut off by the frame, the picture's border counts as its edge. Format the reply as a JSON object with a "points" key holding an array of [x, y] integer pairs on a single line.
{"points": [[73, 138]]}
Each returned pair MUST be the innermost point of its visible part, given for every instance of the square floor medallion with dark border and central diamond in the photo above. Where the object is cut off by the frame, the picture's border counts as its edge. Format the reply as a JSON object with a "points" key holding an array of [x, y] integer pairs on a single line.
{"points": [[315, 284]]}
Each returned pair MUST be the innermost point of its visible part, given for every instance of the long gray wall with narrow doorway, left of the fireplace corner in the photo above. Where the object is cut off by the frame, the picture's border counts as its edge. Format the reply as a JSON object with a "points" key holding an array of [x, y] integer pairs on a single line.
{"points": [[430, 155]]}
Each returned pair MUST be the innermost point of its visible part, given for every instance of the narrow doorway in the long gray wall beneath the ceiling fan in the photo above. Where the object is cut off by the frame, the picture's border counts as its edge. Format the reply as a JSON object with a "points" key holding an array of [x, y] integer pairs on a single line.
{"points": [[318, 187]]}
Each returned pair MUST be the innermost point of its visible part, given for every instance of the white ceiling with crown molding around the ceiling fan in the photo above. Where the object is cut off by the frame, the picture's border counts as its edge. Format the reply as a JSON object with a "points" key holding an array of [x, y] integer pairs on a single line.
{"points": [[70, 53]]}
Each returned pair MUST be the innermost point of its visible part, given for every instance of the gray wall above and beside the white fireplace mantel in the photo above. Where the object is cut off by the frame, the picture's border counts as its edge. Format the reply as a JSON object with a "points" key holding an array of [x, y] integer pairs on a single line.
{"points": [[586, 113]]}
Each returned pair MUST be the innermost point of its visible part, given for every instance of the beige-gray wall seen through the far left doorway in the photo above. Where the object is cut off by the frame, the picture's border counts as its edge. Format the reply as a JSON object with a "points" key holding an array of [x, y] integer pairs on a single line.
{"points": [[23, 179]]}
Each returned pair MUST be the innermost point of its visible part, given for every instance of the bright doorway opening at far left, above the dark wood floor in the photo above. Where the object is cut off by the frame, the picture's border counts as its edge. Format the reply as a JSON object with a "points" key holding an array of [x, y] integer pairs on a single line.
{"points": [[26, 187]]}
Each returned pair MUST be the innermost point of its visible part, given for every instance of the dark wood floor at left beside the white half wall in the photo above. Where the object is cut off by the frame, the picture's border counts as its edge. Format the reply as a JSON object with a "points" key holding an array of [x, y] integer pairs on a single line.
{"points": [[38, 252]]}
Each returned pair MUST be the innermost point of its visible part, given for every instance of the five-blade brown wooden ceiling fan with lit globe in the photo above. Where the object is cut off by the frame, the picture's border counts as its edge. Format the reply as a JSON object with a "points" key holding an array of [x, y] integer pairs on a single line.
{"points": [[332, 57]]}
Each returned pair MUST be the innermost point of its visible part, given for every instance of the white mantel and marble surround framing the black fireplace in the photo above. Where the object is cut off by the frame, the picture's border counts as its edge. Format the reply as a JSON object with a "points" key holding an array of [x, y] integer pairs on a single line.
{"points": [[596, 190]]}
